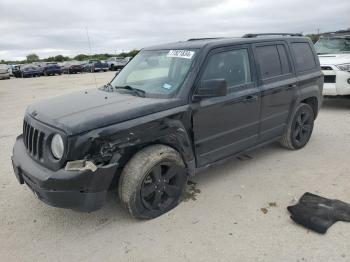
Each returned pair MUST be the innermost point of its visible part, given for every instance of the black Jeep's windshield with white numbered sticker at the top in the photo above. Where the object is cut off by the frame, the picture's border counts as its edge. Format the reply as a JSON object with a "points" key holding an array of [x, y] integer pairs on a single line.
{"points": [[158, 73]]}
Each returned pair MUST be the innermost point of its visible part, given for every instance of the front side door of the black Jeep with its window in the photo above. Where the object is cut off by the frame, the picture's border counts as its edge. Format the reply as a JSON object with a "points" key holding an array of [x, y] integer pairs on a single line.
{"points": [[224, 126]]}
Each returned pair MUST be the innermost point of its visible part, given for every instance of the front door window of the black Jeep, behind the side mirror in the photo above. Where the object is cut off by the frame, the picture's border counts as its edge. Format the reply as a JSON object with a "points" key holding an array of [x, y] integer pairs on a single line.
{"points": [[233, 66]]}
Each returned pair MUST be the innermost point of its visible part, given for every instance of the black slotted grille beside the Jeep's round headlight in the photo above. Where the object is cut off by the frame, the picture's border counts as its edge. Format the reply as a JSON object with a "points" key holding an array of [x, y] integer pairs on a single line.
{"points": [[33, 140]]}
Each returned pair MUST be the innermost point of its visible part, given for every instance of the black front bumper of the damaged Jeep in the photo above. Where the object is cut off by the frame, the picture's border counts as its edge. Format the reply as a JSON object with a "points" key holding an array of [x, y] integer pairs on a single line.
{"points": [[81, 190]]}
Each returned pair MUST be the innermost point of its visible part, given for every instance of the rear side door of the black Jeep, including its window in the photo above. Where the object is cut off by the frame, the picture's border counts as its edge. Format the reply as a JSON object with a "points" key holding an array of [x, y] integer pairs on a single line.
{"points": [[278, 86]]}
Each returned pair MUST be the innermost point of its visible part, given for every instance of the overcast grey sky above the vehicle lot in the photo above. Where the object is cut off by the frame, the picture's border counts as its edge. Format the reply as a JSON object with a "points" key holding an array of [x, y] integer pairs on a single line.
{"points": [[50, 28]]}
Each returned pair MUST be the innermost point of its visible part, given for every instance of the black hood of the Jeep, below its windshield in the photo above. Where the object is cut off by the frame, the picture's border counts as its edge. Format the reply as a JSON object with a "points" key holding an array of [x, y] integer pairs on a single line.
{"points": [[86, 110]]}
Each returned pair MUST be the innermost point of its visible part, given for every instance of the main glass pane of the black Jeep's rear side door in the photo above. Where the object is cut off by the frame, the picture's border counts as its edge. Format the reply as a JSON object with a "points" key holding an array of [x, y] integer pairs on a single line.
{"points": [[269, 61]]}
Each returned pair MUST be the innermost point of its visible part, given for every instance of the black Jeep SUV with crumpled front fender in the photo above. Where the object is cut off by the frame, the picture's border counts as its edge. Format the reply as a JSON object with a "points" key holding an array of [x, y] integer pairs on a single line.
{"points": [[173, 110]]}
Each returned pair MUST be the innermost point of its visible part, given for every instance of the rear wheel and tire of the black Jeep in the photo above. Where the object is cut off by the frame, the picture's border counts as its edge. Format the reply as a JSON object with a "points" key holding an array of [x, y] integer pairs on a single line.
{"points": [[299, 130]]}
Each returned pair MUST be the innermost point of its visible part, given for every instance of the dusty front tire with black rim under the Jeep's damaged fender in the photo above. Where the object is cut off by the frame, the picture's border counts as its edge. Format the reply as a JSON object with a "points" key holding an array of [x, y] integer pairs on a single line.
{"points": [[152, 182]]}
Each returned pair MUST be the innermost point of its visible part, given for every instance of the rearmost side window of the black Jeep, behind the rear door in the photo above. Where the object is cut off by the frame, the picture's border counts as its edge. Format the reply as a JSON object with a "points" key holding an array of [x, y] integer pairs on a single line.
{"points": [[304, 56]]}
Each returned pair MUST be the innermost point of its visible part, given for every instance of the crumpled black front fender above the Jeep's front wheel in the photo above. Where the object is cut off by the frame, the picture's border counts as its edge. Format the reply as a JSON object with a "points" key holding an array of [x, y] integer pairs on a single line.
{"points": [[117, 143]]}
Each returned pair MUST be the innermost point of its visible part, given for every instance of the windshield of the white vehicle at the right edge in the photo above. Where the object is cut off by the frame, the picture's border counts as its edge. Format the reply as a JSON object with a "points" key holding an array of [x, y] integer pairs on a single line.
{"points": [[332, 45]]}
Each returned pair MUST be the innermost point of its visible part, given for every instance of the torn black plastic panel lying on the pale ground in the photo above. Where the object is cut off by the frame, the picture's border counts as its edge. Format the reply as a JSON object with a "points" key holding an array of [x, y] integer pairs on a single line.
{"points": [[318, 213]]}
